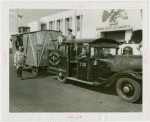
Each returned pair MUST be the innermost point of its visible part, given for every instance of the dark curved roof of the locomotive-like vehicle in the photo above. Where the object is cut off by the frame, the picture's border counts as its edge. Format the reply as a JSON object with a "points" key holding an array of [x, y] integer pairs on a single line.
{"points": [[92, 41]]}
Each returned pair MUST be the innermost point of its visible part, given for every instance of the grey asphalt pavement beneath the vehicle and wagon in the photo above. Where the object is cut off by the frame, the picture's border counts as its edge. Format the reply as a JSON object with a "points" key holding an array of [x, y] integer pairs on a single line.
{"points": [[47, 94]]}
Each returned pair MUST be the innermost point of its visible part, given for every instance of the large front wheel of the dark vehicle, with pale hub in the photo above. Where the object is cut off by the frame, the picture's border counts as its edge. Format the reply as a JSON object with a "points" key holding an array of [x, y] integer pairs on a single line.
{"points": [[128, 89]]}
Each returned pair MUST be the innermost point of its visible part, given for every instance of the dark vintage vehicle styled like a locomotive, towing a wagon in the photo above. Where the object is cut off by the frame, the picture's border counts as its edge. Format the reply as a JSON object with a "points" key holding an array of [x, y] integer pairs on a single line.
{"points": [[99, 65]]}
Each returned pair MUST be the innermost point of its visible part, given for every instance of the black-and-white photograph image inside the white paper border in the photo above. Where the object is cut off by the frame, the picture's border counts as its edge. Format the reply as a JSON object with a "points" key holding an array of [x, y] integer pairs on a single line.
{"points": [[75, 60]]}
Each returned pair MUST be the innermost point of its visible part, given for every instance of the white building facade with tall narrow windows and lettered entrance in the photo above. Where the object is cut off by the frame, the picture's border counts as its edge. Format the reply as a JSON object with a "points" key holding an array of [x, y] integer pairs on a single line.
{"points": [[116, 24]]}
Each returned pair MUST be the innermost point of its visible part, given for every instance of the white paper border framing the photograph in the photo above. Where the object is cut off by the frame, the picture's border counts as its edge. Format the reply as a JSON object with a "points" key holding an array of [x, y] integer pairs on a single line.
{"points": [[94, 116]]}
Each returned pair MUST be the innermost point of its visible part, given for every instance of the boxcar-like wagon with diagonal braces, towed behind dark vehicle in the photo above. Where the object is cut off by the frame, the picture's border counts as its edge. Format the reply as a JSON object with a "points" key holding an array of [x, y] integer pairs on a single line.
{"points": [[36, 46]]}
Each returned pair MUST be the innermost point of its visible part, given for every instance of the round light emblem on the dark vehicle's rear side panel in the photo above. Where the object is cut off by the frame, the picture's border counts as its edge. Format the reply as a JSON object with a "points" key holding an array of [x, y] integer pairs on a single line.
{"points": [[54, 58]]}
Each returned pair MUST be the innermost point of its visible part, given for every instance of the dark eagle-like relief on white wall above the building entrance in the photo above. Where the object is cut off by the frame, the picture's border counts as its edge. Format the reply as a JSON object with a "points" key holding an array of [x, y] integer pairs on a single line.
{"points": [[114, 15]]}
